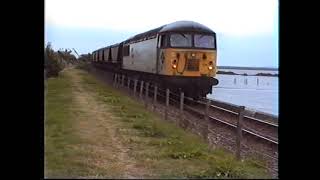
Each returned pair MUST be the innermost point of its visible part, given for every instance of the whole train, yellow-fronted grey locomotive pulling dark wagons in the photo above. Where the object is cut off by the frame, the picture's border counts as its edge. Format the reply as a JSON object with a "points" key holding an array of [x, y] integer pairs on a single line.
{"points": [[181, 56]]}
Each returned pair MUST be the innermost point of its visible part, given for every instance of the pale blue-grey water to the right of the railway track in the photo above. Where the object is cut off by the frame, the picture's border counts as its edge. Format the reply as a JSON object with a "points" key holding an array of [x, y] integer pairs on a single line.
{"points": [[255, 92]]}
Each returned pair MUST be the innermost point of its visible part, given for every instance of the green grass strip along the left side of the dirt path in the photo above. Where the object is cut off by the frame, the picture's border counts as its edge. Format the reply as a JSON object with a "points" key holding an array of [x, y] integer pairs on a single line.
{"points": [[58, 128]]}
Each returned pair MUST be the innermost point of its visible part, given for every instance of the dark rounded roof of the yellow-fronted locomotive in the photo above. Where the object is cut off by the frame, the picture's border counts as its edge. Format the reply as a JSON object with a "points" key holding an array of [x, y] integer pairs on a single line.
{"points": [[178, 26]]}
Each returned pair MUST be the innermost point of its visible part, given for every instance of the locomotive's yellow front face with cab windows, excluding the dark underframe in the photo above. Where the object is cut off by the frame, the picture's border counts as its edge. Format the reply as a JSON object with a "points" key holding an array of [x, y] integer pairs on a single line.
{"points": [[188, 54]]}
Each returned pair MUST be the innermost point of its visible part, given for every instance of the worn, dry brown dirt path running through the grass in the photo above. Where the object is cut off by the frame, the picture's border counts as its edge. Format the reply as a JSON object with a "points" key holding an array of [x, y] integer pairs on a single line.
{"points": [[97, 126]]}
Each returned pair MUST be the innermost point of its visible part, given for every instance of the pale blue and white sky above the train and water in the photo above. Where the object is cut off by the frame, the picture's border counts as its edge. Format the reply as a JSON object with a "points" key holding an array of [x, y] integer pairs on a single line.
{"points": [[247, 30]]}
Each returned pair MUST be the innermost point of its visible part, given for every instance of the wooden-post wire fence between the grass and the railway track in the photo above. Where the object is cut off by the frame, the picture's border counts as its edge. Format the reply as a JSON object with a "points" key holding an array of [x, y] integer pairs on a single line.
{"points": [[151, 93]]}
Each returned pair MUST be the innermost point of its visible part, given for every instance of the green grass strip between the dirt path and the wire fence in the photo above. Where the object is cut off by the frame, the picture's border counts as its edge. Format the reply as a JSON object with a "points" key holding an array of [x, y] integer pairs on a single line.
{"points": [[162, 148]]}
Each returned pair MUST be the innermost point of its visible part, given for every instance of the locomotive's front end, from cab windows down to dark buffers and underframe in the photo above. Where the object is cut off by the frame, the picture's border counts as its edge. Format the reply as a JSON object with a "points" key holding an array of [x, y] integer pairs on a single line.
{"points": [[188, 60]]}
